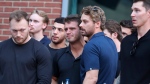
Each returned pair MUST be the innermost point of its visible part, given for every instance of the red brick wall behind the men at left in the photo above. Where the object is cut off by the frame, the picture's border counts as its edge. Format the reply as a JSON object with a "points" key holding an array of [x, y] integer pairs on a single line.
{"points": [[51, 7]]}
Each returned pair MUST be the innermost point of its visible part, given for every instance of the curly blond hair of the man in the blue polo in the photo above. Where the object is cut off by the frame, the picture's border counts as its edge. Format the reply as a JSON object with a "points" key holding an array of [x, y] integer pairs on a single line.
{"points": [[96, 14]]}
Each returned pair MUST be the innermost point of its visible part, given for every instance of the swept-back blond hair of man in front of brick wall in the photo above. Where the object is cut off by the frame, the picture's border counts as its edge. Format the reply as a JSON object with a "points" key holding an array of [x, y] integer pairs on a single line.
{"points": [[42, 14]]}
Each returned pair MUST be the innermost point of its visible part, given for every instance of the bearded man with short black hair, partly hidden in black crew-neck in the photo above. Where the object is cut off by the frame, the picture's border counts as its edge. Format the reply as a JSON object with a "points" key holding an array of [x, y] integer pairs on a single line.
{"points": [[57, 36]]}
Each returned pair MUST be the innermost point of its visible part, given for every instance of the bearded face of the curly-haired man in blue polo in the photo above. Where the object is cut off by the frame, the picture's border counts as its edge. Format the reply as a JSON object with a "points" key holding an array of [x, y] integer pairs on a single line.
{"points": [[87, 25]]}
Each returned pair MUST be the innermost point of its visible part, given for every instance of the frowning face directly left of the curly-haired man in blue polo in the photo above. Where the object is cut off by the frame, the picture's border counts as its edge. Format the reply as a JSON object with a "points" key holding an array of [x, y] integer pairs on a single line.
{"points": [[73, 32]]}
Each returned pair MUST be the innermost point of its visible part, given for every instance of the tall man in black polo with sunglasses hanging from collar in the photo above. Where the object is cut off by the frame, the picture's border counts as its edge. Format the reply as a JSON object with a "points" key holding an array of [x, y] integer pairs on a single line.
{"points": [[135, 54]]}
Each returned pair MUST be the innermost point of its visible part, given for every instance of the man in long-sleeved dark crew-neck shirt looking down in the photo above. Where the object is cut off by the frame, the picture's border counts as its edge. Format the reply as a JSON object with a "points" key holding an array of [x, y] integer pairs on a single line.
{"points": [[23, 60]]}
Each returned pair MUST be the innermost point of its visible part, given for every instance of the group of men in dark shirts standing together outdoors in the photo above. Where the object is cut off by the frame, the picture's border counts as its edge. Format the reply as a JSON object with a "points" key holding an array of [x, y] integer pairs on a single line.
{"points": [[29, 57]]}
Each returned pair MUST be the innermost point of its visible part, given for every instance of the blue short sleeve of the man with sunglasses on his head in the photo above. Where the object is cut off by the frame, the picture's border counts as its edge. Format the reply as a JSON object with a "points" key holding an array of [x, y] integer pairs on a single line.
{"points": [[90, 57]]}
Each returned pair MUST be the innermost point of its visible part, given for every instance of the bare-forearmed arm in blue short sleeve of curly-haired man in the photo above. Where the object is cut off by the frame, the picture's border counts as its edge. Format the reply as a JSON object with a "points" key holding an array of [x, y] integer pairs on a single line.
{"points": [[91, 63]]}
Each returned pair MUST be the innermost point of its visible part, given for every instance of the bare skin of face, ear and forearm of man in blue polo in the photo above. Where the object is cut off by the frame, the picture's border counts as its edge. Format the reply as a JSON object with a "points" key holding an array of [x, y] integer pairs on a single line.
{"points": [[91, 76]]}
